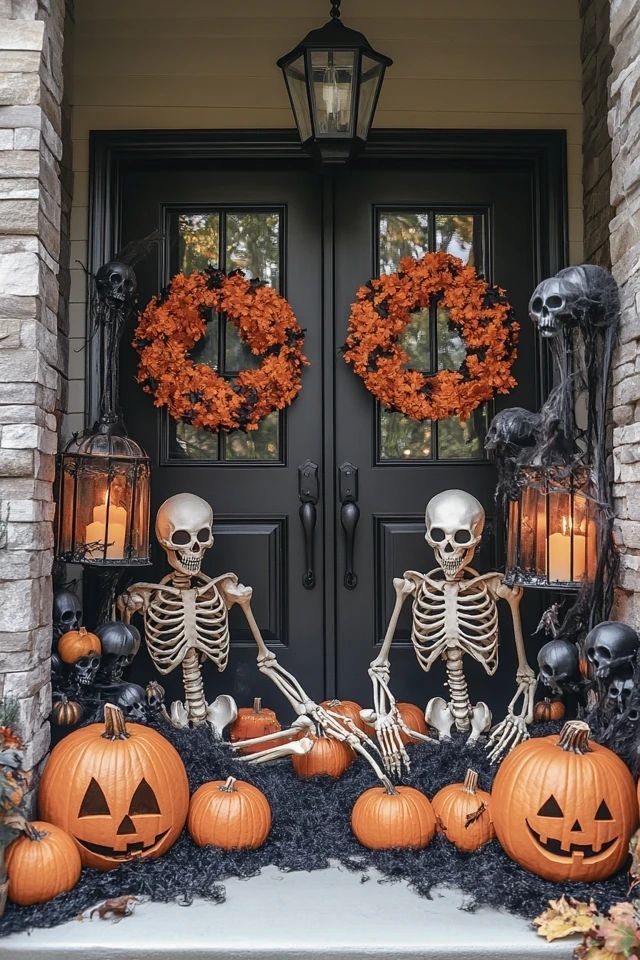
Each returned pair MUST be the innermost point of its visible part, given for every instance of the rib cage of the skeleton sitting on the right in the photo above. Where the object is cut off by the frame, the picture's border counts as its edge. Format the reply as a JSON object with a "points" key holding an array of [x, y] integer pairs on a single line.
{"points": [[457, 614]]}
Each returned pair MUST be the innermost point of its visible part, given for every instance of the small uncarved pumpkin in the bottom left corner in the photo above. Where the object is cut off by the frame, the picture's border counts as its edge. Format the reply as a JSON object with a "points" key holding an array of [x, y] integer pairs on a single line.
{"points": [[43, 865]]}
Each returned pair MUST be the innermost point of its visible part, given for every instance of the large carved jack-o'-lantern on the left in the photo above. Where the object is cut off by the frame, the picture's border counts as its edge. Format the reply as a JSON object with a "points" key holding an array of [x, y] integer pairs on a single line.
{"points": [[120, 791]]}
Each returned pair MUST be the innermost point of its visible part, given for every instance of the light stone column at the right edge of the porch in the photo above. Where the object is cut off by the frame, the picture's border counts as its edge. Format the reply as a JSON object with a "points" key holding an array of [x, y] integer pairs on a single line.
{"points": [[624, 127]]}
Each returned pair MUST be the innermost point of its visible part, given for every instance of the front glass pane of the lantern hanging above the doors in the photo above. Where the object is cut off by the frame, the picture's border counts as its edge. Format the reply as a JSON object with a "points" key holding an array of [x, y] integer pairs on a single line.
{"points": [[332, 83]]}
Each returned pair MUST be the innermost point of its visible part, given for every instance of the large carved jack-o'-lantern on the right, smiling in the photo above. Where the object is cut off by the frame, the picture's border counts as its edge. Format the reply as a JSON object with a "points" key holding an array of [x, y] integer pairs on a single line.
{"points": [[564, 808]]}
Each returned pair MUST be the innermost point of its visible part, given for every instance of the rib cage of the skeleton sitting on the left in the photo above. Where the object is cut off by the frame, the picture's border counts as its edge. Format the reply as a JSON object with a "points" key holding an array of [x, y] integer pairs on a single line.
{"points": [[179, 619]]}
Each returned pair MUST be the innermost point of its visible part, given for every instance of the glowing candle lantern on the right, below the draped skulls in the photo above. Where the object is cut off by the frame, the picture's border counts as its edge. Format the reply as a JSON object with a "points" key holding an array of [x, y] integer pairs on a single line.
{"points": [[552, 530]]}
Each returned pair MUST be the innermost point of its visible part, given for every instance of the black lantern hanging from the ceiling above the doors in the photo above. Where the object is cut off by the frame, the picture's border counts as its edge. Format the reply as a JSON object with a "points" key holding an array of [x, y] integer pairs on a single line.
{"points": [[333, 78]]}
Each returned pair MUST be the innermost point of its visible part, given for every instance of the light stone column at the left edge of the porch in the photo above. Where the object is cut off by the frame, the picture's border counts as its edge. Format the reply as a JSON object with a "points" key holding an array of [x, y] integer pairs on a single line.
{"points": [[31, 44]]}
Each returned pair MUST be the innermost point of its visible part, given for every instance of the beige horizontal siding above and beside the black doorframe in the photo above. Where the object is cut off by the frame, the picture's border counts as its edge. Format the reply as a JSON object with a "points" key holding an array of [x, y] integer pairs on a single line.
{"points": [[207, 64]]}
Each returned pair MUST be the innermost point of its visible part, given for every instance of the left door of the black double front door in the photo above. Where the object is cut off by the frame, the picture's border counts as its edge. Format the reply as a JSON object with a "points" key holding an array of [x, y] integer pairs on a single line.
{"points": [[268, 224]]}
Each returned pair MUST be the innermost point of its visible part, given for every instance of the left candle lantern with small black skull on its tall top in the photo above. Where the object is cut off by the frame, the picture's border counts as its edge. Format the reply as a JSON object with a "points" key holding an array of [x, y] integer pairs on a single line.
{"points": [[103, 475]]}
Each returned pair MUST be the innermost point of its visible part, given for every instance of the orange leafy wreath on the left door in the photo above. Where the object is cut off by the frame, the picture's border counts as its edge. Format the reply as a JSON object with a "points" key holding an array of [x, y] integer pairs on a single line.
{"points": [[195, 393]]}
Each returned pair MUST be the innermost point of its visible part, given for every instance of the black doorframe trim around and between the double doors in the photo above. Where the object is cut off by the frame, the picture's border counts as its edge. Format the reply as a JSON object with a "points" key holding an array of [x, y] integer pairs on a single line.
{"points": [[543, 152]]}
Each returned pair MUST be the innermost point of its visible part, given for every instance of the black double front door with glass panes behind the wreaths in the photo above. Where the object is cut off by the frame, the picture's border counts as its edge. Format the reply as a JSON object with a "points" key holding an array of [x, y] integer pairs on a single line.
{"points": [[317, 239]]}
